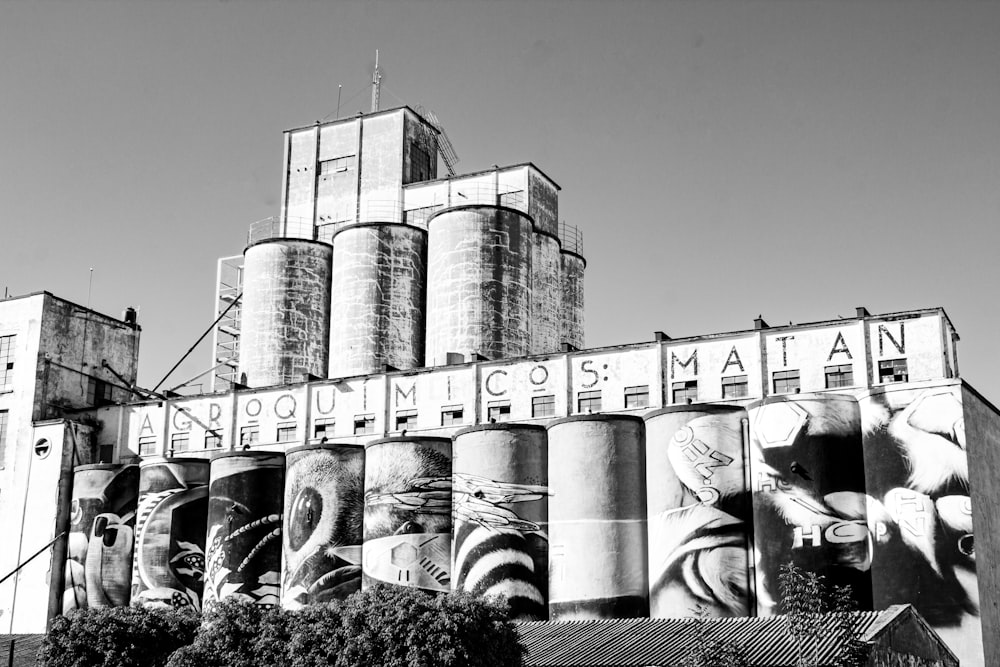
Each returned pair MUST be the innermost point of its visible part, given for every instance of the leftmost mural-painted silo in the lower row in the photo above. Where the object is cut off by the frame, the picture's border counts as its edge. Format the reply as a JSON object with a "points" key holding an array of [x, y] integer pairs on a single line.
{"points": [[101, 536]]}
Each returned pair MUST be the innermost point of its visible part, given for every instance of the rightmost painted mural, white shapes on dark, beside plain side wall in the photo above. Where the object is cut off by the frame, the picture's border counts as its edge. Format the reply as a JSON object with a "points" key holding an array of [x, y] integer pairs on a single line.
{"points": [[920, 511]]}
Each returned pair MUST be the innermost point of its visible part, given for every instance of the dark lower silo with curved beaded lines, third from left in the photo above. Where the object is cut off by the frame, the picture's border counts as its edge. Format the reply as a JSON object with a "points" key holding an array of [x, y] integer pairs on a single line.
{"points": [[243, 552]]}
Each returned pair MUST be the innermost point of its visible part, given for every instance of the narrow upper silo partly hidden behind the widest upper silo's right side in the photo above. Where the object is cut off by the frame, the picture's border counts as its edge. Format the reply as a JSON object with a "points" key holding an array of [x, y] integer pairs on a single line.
{"points": [[546, 294]]}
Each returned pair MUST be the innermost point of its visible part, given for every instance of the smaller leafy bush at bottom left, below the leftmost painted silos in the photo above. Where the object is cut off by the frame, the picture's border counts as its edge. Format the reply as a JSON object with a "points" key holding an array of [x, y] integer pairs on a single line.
{"points": [[117, 637]]}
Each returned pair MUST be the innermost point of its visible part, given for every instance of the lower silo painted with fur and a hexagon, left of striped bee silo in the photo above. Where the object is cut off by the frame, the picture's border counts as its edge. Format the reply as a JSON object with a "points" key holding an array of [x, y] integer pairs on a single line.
{"points": [[407, 519]]}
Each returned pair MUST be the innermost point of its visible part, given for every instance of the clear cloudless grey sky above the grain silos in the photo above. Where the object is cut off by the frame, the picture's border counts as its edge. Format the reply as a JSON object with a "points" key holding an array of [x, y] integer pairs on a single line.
{"points": [[724, 159]]}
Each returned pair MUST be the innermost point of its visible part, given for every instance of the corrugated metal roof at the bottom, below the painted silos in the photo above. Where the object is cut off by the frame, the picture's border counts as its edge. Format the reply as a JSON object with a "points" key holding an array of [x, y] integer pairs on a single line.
{"points": [[641, 642]]}
